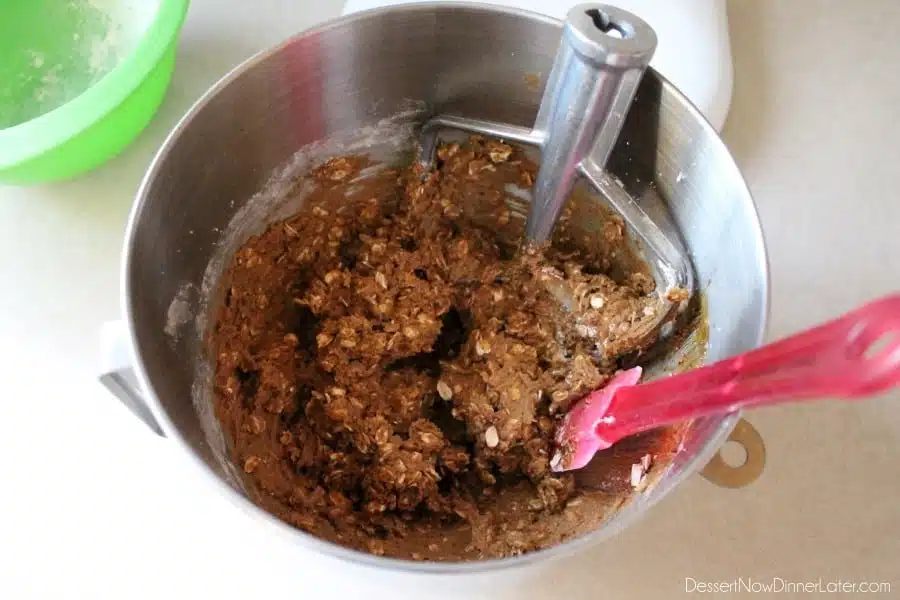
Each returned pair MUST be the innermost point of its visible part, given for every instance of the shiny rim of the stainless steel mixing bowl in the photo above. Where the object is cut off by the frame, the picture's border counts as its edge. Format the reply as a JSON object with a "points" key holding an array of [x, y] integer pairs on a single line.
{"points": [[295, 537]]}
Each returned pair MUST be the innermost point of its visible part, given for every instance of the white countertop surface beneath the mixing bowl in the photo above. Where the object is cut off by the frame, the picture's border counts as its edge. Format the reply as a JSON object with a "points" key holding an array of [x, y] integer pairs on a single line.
{"points": [[95, 506]]}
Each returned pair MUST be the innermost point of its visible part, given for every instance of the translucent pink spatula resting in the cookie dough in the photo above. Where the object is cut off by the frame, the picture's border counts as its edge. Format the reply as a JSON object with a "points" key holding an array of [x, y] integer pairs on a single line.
{"points": [[854, 356]]}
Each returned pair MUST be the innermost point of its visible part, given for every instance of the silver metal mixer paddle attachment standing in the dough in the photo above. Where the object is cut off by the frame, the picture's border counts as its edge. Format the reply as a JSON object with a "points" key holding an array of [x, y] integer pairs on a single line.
{"points": [[601, 58]]}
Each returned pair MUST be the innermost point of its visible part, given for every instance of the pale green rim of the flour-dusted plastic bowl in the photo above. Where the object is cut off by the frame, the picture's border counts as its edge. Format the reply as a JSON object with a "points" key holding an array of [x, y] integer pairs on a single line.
{"points": [[32, 138]]}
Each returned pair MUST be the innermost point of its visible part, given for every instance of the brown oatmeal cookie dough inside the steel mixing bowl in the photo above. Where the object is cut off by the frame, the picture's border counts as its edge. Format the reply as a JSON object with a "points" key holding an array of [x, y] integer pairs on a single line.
{"points": [[390, 367]]}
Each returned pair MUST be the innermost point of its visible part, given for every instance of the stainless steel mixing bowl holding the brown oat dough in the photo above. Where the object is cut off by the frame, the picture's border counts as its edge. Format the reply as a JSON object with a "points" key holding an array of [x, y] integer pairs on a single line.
{"points": [[365, 81]]}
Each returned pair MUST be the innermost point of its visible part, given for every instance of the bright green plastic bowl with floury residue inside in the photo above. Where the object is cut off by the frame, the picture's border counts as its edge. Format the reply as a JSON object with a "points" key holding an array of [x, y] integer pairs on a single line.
{"points": [[79, 80]]}
